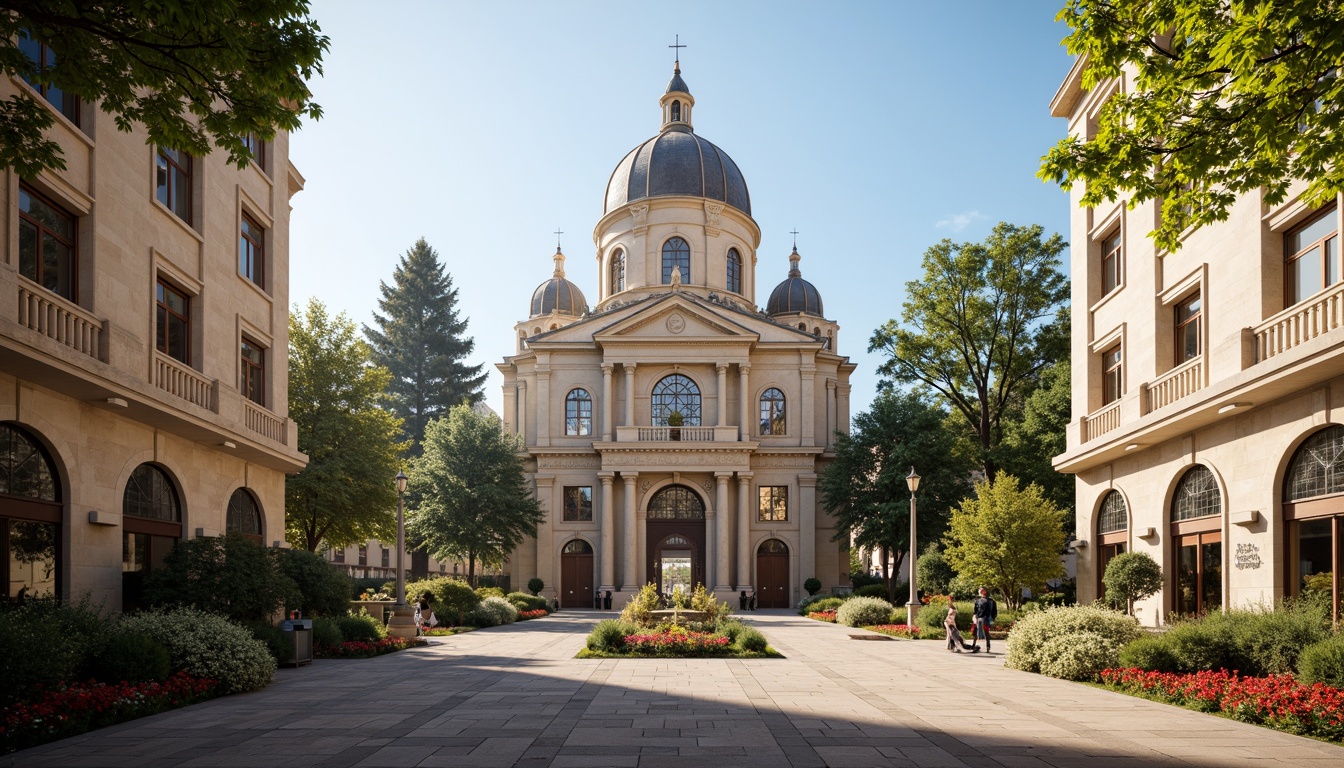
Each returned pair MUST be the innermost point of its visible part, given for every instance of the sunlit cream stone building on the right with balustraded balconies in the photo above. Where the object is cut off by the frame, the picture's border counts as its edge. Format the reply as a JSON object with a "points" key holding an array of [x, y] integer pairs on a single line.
{"points": [[1208, 396]]}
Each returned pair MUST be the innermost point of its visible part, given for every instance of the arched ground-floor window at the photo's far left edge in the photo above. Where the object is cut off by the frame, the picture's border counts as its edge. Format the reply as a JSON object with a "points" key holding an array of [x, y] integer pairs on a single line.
{"points": [[30, 519]]}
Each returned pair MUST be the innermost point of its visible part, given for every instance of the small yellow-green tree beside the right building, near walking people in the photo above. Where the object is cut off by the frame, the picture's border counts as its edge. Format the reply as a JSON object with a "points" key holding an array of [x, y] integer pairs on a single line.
{"points": [[1007, 539]]}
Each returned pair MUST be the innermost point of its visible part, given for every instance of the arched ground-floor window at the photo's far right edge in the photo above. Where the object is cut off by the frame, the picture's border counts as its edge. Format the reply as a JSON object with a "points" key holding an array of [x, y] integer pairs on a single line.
{"points": [[1314, 509]]}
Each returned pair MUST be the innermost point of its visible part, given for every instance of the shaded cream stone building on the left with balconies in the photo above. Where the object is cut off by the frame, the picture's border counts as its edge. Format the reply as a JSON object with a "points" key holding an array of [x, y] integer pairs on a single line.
{"points": [[143, 356]]}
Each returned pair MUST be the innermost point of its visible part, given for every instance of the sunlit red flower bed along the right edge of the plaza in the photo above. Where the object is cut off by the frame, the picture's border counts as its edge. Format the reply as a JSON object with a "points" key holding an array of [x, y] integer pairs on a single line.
{"points": [[1277, 701]]}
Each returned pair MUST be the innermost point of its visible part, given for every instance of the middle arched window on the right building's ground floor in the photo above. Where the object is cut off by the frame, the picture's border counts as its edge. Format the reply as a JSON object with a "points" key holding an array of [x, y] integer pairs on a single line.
{"points": [[1197, 532]]}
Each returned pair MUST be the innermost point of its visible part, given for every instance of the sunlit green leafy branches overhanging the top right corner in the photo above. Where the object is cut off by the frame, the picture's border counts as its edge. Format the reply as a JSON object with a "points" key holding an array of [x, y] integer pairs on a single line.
{"points": [[1221, 100]]}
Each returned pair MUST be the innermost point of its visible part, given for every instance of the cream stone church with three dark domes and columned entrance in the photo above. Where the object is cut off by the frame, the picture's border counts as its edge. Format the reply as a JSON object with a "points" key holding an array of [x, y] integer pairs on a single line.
{"points": [[674, 432]]}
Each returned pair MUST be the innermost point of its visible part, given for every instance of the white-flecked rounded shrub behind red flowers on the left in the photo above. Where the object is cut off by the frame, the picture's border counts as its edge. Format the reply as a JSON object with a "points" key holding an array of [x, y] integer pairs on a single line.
{"points": [[208, 646]]}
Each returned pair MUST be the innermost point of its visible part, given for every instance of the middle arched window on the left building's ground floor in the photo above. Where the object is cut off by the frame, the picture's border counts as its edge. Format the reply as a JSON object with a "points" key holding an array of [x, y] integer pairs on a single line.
{"points": [[151, 524]]}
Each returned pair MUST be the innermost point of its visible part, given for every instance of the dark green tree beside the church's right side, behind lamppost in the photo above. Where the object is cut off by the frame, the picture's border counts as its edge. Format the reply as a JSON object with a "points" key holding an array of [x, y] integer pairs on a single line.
{"points": [[865, 489]]}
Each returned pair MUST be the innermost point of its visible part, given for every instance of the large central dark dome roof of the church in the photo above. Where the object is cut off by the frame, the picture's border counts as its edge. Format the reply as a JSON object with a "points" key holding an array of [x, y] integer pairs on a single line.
{"points": [[677, 162]]}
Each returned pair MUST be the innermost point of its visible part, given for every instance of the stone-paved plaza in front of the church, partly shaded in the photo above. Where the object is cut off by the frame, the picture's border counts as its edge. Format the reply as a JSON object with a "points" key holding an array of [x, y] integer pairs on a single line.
{"points": [[515, 696]]}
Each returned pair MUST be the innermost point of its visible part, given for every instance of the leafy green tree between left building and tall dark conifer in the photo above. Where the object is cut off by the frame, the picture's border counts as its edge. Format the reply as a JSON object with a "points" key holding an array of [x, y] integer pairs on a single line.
{"points": [[346, 494]]}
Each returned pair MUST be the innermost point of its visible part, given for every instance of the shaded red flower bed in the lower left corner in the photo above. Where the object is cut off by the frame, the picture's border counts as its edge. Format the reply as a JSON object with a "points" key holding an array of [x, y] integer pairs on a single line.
{"points": [[79, 708]]}
